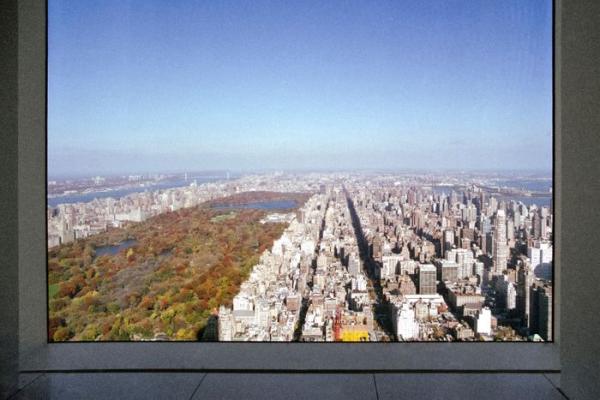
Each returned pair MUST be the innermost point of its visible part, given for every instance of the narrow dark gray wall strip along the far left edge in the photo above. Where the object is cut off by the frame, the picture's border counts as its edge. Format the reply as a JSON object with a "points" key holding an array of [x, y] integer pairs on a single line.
{"points": [[8, 199]]}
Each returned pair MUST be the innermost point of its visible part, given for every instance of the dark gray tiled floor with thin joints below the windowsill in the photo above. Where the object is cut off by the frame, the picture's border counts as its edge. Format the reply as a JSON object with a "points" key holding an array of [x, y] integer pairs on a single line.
{"points": [[364, 386]]}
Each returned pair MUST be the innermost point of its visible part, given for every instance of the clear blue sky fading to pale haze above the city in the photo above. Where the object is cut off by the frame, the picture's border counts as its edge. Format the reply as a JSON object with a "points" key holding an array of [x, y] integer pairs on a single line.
{"points": [[144, 86]]}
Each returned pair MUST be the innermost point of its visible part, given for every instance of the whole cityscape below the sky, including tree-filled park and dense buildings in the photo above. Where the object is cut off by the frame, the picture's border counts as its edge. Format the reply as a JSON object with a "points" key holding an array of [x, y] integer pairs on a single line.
{"points": [[302, 257]]}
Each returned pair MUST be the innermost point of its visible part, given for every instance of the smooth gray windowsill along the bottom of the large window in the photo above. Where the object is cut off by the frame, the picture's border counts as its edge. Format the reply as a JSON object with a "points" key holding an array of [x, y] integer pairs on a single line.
{"points": [[295, 357]]}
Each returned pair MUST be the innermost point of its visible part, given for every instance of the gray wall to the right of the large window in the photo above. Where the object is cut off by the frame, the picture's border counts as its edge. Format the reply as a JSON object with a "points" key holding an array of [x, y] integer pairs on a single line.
{"points": [[580, 146]]}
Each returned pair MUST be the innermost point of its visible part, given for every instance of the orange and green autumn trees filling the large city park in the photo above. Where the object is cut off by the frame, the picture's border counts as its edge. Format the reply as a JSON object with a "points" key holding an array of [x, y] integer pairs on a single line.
{"points": [[181, 265]]}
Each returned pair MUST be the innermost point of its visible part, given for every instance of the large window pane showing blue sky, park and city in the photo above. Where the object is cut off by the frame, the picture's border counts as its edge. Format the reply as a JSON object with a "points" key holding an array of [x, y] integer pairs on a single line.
{"points": [[311, 172]]}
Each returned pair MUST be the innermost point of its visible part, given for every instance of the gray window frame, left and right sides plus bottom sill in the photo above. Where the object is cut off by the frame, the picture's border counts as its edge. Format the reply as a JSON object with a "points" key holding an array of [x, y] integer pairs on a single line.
{"points": [[36, 354]]}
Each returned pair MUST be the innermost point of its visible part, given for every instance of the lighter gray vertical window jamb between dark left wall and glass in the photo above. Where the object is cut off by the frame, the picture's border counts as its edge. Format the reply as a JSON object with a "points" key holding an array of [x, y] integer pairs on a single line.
{"points": [[32, 176]]}
